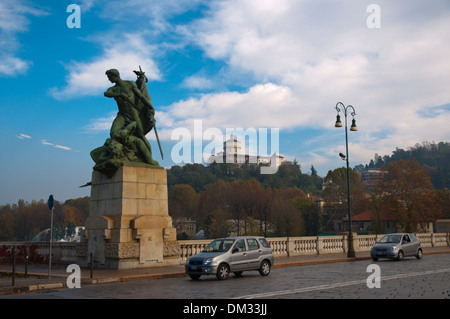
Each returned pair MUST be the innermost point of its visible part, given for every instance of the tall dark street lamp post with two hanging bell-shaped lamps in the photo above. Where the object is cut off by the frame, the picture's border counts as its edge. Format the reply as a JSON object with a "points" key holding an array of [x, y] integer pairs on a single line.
{"points": [[340, 107]]}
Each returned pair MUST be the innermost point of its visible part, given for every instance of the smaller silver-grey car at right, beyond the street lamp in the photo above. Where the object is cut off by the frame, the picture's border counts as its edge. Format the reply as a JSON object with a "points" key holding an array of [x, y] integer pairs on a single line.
{"points": [[397, 246]]}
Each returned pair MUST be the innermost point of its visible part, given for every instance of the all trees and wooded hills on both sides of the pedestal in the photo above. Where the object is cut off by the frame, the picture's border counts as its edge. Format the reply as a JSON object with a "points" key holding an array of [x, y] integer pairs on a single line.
{"points": [[227, 197]]}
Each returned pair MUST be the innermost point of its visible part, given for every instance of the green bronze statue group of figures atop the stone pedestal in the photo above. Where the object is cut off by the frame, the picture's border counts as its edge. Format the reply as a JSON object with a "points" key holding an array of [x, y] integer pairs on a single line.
{"points": [[136, 118]]}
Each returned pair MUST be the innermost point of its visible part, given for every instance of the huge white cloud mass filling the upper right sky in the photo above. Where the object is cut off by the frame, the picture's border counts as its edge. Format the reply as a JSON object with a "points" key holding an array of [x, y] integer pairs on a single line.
{"points": [[322, 53]]}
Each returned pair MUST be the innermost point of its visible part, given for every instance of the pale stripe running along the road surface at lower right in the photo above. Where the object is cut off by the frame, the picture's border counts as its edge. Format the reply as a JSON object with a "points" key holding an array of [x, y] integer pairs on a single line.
{"points": [[339, 285]]}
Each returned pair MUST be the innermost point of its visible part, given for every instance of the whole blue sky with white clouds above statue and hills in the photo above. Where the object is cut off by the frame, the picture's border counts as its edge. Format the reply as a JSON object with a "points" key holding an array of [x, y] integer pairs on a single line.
{"points": [[231, 64]]}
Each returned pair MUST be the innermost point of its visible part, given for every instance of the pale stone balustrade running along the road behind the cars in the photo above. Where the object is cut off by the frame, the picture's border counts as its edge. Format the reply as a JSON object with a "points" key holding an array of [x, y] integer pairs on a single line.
{"points": [[66, 252]]}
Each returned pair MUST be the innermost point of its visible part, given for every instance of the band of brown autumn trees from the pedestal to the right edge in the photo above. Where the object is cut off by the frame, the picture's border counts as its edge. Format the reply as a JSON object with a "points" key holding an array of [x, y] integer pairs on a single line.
{"points": [[246, 207]]}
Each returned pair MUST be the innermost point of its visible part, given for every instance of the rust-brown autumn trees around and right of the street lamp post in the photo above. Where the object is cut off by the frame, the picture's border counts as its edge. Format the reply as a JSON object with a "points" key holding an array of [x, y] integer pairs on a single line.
{"points": [[404, 192]]}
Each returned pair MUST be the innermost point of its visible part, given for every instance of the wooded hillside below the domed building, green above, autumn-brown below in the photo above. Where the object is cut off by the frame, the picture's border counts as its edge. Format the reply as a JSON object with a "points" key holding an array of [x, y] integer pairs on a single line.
{"points": [[227, 196]]}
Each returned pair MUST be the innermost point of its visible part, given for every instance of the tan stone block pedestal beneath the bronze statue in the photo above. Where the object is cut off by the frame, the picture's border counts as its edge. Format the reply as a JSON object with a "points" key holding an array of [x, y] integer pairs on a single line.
{"points": [[129, 224]]}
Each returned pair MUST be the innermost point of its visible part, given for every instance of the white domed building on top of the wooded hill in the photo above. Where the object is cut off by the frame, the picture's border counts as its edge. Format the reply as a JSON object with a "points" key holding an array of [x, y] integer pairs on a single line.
{"points": [[234, 154]]}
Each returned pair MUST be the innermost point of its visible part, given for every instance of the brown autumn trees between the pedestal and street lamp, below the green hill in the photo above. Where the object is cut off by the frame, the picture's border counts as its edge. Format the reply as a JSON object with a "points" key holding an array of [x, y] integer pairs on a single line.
{"points": [[245, 207]]}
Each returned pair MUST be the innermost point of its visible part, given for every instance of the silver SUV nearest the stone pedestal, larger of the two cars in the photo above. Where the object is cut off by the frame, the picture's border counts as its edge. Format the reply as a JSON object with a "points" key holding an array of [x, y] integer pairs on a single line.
{"points": [[234, 254]]}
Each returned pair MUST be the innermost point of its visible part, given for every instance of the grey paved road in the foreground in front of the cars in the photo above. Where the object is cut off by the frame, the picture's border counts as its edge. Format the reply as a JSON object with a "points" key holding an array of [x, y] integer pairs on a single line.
{"points": [[410, 278]]}
